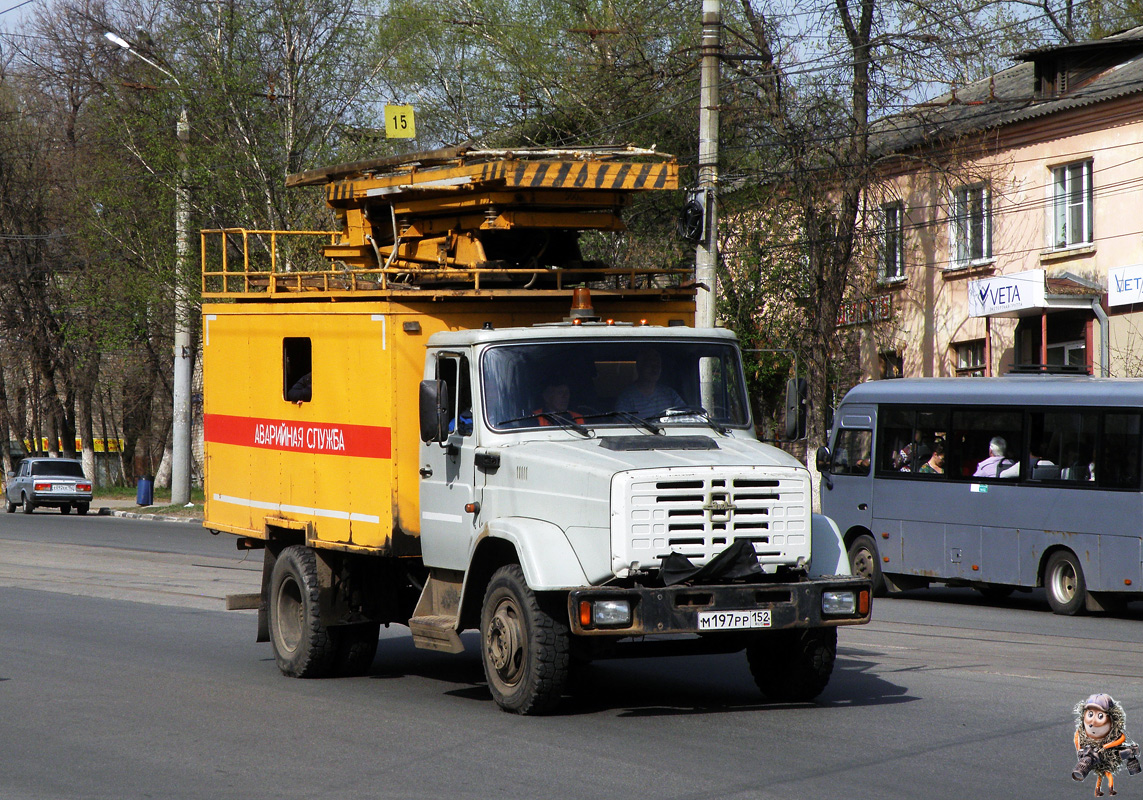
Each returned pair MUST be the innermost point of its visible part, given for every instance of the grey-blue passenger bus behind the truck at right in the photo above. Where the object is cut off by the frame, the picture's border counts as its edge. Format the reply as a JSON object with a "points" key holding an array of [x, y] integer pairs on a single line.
{"points": [[997, 484]]}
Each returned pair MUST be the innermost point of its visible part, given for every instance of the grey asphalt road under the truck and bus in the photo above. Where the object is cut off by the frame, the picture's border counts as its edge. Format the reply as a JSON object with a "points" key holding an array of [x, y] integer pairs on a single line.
{"points": [[122, 678]]}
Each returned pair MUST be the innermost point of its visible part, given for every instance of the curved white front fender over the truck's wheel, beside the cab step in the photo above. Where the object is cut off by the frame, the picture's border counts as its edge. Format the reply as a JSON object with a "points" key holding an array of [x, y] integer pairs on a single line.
{"points": [[547, 556]]}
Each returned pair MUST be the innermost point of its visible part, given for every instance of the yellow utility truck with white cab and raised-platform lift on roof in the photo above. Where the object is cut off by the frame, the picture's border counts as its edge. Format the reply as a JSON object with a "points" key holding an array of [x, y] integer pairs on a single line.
{"points": [[443, 417]]}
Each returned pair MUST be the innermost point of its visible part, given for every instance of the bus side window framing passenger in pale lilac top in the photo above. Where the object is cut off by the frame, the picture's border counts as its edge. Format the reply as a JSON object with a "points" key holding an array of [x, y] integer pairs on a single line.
{"points": [[985, 444]]}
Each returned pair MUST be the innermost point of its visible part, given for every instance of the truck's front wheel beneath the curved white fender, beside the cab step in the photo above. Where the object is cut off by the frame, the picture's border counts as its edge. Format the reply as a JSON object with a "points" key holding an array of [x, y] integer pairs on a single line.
{"points": [[524, 649]]}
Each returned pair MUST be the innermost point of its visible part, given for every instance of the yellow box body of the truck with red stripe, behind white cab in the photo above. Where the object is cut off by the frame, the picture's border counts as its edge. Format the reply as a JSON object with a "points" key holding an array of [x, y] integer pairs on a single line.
{"points": [[341, 468]]}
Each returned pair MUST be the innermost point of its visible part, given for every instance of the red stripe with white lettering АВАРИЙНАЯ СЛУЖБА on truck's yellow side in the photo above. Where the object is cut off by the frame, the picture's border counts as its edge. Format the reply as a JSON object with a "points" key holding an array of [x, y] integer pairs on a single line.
{"points": [[322, 438]]}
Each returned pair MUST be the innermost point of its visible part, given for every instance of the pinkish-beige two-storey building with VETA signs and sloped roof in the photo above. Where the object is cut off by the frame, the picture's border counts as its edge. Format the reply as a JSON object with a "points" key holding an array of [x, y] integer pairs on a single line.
{"points": [[1010, 223]]}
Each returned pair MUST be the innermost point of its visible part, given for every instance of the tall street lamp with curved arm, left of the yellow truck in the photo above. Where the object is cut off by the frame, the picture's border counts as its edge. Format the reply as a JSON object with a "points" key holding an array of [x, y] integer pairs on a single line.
{"points": [[181, 385]]}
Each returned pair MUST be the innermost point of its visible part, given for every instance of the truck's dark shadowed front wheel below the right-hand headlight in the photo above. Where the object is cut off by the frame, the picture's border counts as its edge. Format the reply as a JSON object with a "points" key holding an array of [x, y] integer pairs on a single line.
{"points": [[794, 667]]}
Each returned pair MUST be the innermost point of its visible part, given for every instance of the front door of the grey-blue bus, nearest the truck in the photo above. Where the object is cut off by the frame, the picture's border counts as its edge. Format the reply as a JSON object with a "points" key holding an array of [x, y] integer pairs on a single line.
{"points": [[848, 497]]}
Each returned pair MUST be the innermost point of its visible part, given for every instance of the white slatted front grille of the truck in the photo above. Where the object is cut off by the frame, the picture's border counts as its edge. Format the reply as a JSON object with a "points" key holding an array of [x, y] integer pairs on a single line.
{"points": [[700, 513]]}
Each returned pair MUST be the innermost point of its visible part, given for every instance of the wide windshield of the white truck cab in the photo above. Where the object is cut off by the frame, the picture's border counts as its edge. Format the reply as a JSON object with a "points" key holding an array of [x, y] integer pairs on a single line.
{"points": [[610, 382]]}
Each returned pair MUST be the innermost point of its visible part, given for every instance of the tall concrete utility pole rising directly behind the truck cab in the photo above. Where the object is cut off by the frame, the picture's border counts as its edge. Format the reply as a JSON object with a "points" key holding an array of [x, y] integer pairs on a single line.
{"points": [[707, 253]]}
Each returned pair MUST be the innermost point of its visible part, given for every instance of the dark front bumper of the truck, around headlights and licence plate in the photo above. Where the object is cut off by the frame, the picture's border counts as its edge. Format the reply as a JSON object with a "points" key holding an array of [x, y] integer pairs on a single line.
{"points": [[676, 610]]}
